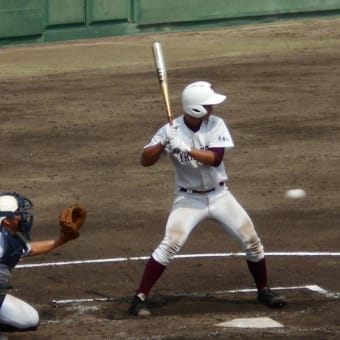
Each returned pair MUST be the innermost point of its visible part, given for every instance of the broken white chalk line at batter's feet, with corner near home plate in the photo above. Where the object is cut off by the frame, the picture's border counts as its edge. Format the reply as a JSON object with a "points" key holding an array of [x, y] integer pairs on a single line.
{"points": [[312, 288]]}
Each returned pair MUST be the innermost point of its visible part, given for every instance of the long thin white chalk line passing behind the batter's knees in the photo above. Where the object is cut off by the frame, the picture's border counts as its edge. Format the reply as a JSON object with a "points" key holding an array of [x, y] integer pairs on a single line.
{"points": [[183, 256]]}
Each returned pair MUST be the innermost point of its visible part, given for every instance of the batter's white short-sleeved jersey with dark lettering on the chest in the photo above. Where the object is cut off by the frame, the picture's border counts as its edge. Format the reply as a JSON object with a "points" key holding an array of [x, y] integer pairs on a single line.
{"points": [[189, 173]]}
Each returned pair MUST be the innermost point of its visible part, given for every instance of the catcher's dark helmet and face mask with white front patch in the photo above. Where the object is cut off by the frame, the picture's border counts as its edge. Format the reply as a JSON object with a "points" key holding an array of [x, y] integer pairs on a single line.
{"points": [[11, 204]]}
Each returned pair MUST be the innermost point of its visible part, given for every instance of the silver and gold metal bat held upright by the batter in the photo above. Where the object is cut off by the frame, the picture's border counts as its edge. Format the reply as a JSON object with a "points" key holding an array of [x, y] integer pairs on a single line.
{"points": [[162, 77]]}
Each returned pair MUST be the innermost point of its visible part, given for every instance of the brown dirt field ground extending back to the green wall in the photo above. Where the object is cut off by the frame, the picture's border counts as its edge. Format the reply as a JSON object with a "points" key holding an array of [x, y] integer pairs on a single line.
{"points": [[74, 119]]}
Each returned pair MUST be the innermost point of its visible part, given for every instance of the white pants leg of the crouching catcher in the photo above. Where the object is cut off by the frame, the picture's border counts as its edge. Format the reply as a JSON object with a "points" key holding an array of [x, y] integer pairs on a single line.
{"points": [[17, 313]]}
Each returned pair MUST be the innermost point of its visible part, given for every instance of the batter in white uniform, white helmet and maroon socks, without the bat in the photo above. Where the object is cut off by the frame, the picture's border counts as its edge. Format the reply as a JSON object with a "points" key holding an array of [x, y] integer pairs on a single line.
{"points": [[196, 143]]}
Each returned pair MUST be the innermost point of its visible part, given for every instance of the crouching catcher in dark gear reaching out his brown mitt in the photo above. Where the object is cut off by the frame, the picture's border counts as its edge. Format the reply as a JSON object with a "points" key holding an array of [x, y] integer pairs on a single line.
{"points": [[16, 219]]}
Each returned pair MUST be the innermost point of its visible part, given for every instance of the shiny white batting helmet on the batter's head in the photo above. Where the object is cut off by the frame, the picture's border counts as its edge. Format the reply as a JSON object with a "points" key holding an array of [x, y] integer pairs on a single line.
{"points": [[197, 94]]}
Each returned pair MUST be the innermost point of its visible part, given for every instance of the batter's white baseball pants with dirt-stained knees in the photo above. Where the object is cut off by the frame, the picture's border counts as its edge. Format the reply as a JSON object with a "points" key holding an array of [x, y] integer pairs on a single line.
{"points": [[188, 210]]}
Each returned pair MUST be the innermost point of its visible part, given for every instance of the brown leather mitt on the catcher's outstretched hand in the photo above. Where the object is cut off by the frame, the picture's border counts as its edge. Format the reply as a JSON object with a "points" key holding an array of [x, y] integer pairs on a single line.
{"points": [[71, 218]]}
